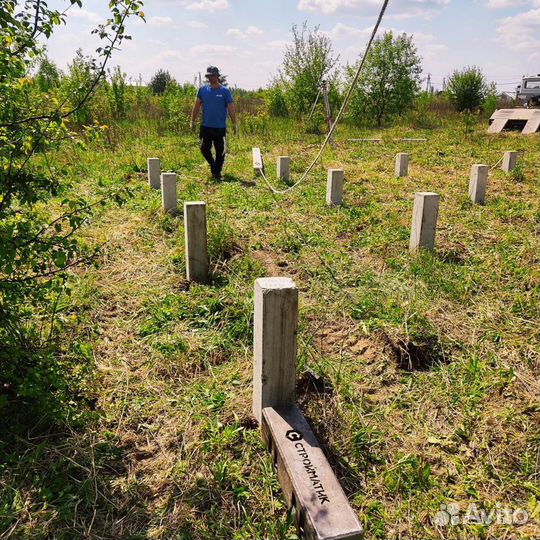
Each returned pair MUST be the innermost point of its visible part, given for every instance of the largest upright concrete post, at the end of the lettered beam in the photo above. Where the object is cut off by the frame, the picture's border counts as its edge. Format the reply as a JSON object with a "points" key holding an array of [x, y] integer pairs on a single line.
{"points": [[274, 343]]}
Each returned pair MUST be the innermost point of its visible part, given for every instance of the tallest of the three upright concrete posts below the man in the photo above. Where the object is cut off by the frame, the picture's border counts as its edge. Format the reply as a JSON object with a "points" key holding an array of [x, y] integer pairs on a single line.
{"points": [[196, 241]]}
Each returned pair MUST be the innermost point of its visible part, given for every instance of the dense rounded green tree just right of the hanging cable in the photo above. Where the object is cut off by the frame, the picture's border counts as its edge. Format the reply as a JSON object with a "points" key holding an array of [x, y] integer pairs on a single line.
{"points": [[389, 81]]}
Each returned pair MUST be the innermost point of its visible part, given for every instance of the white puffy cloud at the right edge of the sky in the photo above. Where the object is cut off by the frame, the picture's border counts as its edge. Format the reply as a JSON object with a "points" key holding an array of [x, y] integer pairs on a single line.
{"points": [[519, 32]]}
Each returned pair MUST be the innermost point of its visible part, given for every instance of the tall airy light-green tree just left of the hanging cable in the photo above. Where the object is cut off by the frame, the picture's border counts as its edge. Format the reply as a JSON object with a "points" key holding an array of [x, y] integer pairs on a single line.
{"points": [[307, 62]]}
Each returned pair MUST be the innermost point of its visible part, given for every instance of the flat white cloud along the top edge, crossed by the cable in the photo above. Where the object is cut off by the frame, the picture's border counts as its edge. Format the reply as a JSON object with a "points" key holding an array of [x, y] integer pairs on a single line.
{"points": [[399, 9]]}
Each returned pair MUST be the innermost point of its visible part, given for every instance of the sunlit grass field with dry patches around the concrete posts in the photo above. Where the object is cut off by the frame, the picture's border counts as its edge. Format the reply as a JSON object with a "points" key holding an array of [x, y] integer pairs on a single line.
{"points": [[418, 373]]}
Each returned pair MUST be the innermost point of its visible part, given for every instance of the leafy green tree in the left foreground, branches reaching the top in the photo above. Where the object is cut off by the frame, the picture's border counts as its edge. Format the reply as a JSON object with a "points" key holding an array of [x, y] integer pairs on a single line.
{"points": [[37, 247]]}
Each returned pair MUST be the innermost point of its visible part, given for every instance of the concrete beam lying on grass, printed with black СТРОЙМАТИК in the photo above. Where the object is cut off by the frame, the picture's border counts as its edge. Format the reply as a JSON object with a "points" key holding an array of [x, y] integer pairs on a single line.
{"points": [[307, 479]]}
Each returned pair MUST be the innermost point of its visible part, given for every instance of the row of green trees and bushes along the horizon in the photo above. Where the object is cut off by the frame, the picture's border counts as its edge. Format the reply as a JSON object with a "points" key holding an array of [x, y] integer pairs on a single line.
{"points": [[389, 85]]}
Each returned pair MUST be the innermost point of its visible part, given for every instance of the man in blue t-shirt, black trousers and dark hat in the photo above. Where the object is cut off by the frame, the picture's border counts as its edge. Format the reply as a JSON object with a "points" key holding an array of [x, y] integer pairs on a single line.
{"points": [[216, 101]]}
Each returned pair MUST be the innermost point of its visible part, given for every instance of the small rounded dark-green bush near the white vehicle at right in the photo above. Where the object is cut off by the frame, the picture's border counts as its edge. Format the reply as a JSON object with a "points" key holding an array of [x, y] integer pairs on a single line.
{"points": [[467, 89]]}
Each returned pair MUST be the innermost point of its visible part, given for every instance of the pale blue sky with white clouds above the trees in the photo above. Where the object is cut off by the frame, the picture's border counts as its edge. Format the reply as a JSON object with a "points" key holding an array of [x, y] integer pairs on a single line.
{"points": [[246, 39]]}
